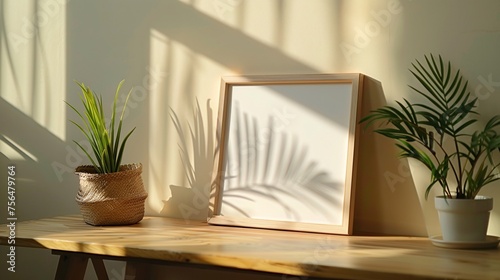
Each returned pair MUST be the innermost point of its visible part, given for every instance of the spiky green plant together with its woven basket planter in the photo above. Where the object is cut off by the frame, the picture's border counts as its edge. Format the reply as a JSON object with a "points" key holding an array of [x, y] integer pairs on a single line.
{"points": [[110, 193]]}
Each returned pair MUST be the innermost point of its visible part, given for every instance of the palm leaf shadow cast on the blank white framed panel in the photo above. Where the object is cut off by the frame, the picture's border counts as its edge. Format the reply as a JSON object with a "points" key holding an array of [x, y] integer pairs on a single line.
{"points": [[274, 166]]}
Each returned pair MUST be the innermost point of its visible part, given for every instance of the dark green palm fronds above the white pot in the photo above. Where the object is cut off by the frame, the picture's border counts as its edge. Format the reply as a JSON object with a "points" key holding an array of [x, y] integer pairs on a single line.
{"points": [[440, 133]]}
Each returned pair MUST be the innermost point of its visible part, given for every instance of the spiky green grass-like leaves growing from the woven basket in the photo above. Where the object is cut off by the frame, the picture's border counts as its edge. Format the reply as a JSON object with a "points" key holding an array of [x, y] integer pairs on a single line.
{"points": [[104, 138]]}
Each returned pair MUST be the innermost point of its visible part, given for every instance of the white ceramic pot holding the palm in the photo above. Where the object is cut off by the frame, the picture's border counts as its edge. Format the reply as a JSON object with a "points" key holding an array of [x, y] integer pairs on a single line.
{"points": [[464, 220]]}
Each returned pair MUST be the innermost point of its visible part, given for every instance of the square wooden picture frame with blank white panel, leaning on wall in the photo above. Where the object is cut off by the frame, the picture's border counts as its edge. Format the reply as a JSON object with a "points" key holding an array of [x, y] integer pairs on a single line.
{"points": [[287, 152]]}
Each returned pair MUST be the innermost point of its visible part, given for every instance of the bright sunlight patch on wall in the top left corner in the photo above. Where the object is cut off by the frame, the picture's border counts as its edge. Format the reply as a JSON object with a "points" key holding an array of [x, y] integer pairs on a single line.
{"points": [[32, 61]]}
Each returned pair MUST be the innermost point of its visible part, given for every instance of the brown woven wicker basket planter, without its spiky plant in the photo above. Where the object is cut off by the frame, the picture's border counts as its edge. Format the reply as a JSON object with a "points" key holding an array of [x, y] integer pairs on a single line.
{"points": [[113, 198]]}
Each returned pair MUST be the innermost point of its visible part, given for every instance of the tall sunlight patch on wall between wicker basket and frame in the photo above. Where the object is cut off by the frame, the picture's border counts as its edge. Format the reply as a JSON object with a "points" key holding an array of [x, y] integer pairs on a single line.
{"points": [[188, 79]]}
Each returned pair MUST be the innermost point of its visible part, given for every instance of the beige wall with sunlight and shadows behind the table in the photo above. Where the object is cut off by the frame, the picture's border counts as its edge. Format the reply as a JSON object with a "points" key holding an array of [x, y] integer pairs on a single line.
{"points": [[174, 53]]}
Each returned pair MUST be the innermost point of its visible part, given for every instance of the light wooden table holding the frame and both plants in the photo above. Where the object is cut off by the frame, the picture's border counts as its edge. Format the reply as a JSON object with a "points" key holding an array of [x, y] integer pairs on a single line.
{"points": [[170, 241]]}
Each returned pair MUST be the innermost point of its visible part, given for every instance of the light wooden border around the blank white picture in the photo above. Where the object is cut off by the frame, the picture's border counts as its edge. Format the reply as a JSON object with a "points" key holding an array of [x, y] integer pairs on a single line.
{"points": [[227, 83]]}
